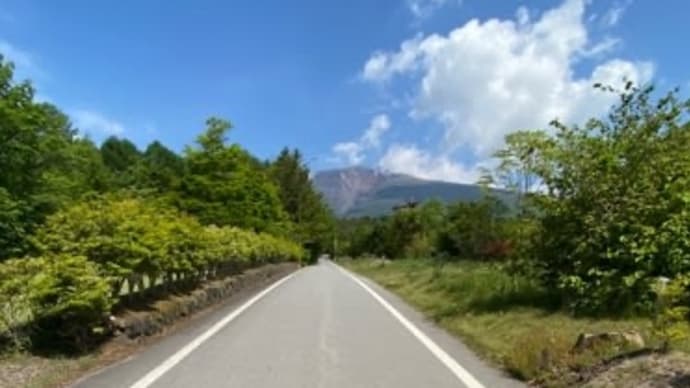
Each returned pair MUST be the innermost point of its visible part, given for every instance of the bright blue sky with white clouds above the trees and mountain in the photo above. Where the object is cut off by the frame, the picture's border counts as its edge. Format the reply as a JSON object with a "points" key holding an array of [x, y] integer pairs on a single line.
{"points": [[427, 87]]}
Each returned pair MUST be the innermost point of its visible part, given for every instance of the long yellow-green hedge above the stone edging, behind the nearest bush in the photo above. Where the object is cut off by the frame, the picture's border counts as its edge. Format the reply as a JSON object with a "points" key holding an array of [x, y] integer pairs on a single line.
{"points": [[128, 238]]}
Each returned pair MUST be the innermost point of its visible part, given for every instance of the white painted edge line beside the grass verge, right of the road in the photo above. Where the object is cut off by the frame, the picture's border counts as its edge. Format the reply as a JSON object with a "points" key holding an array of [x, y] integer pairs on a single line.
{"points": [[461, 373]]}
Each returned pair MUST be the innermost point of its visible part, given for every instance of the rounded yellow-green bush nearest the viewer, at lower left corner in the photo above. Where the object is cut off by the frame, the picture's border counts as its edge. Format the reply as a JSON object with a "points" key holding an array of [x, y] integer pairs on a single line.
{"points": [[52, 297]]}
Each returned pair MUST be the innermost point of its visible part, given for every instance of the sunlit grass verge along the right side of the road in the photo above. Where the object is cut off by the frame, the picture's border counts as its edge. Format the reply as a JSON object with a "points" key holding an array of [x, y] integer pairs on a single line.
{"points": [[509, 320]]}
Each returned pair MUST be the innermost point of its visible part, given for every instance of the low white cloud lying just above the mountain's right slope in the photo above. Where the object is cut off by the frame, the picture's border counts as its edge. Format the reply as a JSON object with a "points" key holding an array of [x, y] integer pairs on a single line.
{"points": [[408, 159]]}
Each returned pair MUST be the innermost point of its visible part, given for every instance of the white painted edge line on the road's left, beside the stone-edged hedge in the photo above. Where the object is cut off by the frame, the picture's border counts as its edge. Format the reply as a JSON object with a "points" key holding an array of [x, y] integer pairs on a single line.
{"points": [[173, 360]]}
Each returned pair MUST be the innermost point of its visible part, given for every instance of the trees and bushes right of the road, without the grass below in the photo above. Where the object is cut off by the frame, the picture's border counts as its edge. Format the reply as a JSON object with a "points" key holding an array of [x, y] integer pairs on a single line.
{"points": [[603, 209]]}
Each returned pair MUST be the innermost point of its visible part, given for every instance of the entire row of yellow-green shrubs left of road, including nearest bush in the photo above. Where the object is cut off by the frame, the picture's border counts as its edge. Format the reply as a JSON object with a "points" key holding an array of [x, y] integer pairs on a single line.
{"points": [[87, 257]]}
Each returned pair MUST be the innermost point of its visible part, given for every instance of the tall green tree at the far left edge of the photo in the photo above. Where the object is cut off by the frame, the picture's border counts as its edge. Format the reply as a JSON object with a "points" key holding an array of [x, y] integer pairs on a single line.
{"points": [[43, 163]]}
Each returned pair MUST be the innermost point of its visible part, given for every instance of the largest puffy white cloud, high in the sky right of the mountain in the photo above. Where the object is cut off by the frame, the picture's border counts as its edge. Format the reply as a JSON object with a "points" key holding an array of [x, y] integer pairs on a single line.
{"points": [[485, 79]]}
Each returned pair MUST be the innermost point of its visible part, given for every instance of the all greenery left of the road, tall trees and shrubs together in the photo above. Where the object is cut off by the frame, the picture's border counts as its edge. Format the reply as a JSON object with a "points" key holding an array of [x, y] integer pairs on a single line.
{"points": [[88, 229]]}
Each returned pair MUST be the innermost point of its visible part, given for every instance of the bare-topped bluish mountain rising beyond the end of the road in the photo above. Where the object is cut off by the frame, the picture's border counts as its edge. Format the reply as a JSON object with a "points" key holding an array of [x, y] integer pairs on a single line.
{"points": [[359, 191]]}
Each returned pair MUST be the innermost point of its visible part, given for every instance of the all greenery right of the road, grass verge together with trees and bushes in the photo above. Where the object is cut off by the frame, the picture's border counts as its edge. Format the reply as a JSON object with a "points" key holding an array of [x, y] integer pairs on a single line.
{"points": [[597, 239]]}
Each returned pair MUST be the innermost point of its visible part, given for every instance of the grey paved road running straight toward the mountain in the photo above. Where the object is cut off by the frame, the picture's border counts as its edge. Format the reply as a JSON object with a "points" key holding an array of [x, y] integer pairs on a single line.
{"points": [[319, 328]]}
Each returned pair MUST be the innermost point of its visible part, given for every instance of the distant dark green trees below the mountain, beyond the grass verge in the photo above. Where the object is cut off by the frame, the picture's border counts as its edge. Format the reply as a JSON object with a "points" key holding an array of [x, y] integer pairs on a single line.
{"points": [[469, 230]]}
